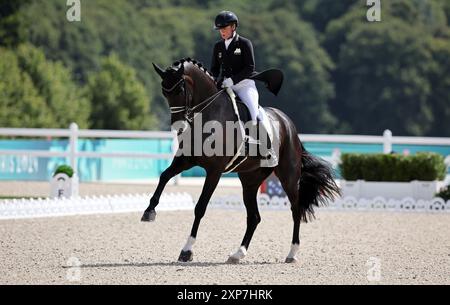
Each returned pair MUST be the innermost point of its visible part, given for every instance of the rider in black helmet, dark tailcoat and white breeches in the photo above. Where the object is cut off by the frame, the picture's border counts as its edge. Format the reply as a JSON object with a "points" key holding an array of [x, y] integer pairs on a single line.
{"points": [[233, 57]]}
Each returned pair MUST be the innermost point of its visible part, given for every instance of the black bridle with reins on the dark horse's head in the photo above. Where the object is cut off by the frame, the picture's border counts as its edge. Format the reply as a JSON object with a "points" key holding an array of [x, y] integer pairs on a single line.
{"points": [[189, 111]]}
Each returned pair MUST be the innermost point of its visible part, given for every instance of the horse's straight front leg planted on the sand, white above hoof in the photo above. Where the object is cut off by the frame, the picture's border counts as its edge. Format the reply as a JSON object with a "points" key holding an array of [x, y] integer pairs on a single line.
{"points": [[212, 179]]}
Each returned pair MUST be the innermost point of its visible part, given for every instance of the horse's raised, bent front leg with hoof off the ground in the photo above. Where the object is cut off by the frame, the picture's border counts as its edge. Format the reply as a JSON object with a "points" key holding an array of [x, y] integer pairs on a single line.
{"points": [[178, 165]]}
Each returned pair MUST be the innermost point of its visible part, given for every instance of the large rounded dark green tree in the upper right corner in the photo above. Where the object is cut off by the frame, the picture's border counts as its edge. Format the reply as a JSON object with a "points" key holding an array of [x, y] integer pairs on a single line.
{"points": [[411, 22]]}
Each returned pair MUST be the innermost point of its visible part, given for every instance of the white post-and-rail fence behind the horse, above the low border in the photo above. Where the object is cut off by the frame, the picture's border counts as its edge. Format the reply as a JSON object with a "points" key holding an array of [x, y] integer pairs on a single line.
{"points": [[73, 133]]}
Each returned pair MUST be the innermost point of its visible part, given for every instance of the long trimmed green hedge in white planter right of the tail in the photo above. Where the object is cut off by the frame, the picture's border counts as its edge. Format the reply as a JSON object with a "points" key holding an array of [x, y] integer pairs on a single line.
{"points": [[424, 166]]}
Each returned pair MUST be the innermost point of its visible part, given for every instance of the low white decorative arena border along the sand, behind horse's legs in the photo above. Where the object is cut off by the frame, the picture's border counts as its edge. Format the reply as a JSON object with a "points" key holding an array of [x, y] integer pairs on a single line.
{"points": [[49, 207]]}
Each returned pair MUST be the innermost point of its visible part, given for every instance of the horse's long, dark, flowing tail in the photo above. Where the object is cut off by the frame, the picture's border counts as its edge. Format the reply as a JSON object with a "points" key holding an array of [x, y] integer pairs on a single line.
{"points": [[316, 186]]}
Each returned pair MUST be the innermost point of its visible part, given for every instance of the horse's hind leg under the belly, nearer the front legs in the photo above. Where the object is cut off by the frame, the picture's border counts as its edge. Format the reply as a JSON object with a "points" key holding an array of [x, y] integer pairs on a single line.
{"points": [[250, 184]]}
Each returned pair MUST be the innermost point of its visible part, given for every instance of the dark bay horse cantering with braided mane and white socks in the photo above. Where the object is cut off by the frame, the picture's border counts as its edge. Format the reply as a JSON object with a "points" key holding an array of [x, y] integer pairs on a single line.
{"points": [[307, 180]]}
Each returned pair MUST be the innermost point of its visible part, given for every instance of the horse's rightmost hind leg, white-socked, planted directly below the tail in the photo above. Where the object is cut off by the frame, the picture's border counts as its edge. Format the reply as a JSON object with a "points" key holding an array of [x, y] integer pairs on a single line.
{"points": [[288, 172]]}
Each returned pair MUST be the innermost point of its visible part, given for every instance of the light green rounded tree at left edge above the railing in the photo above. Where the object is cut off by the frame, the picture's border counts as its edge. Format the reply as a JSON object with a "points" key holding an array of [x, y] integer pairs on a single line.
{"points": [[38, 93]]}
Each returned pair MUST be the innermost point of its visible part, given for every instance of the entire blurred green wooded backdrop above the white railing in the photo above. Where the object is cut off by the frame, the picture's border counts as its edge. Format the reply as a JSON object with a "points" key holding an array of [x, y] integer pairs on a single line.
{"points": [[342, 73]]}
